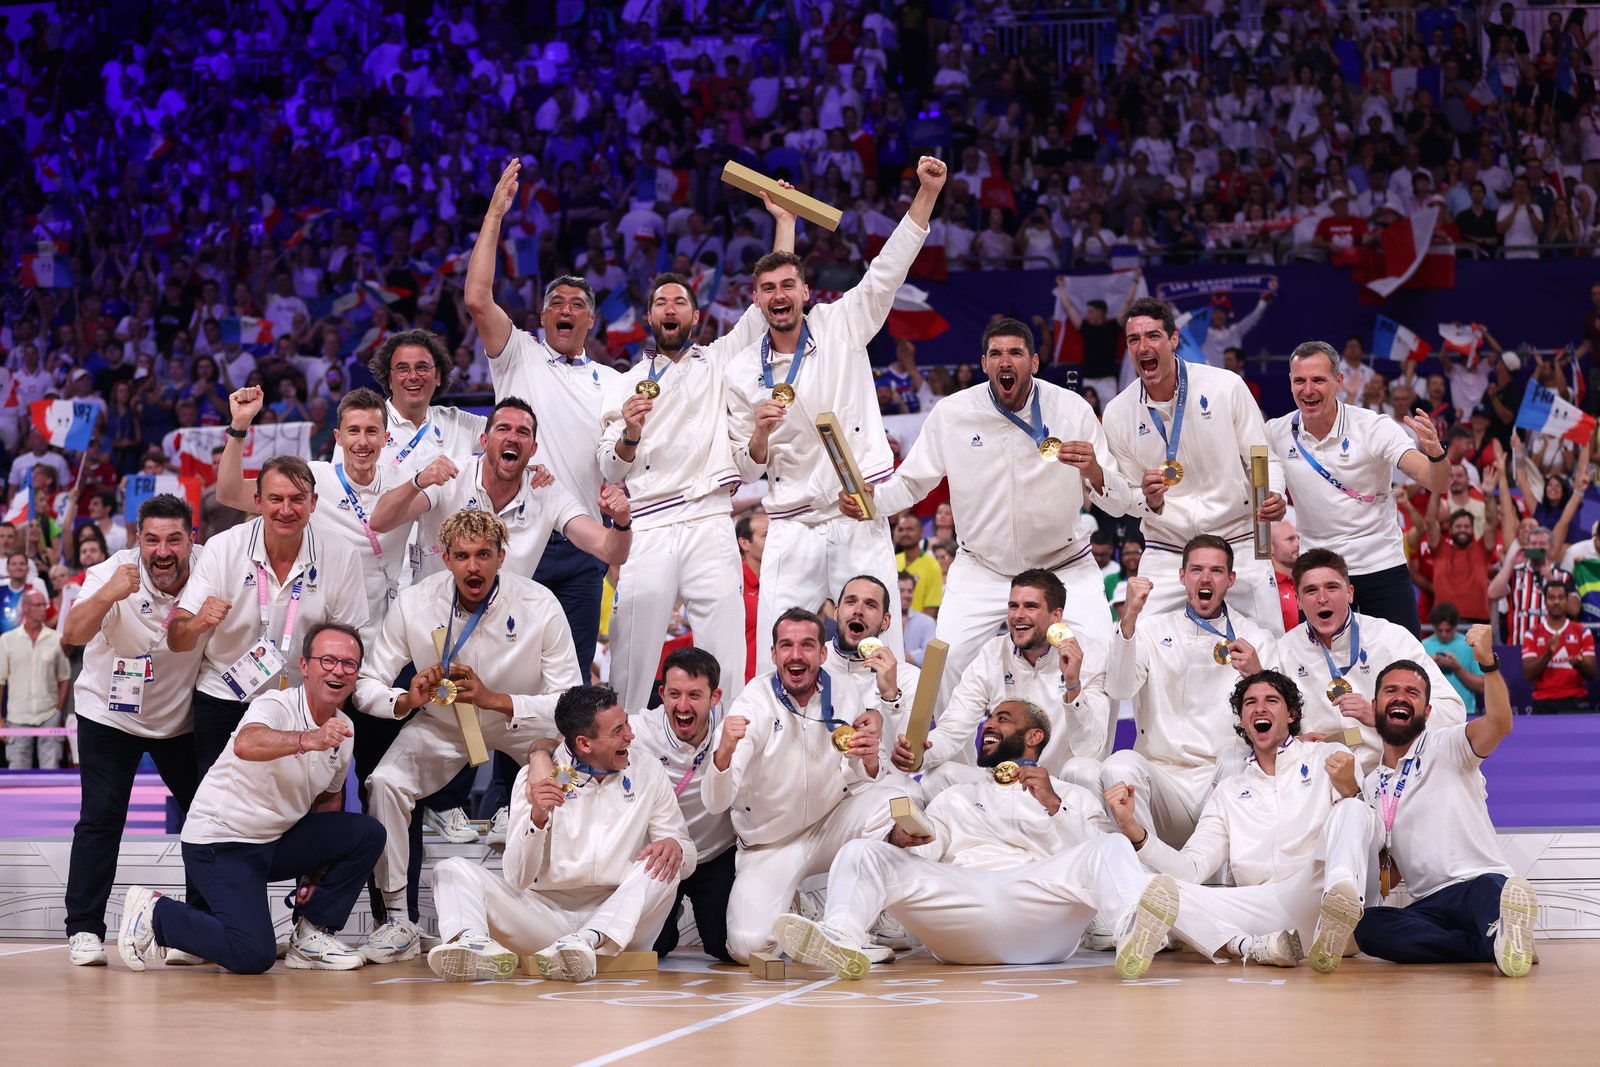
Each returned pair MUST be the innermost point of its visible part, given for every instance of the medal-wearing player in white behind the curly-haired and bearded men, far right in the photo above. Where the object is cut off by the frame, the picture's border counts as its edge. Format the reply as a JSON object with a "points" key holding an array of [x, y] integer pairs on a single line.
{"points": [[1337, 652]]}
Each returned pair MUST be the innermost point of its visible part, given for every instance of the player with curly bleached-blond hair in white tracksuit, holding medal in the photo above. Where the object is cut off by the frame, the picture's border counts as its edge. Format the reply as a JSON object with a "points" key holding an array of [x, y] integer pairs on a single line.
{"points": [[510, 655]]}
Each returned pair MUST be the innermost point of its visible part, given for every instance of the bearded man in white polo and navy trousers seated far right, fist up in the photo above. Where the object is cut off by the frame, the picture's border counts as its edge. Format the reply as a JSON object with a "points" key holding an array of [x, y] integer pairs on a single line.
{"points": [[1449, 893]]}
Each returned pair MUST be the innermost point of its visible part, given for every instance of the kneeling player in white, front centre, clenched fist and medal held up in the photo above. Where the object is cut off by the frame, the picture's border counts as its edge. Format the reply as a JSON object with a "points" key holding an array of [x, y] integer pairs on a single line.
{"points": [[796, 797]]}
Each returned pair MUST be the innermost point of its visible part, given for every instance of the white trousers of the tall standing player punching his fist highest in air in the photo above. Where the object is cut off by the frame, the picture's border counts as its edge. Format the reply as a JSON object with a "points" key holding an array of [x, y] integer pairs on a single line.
{"points": [[806, 565]]}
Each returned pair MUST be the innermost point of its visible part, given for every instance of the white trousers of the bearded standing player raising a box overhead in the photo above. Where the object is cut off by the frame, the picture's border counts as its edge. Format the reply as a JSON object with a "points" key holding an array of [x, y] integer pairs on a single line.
{"points": [[695, 562]]}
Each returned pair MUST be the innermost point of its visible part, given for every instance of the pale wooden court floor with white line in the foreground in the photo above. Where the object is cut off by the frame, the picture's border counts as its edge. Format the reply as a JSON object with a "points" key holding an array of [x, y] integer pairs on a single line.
{"points": [[916, 1012]]}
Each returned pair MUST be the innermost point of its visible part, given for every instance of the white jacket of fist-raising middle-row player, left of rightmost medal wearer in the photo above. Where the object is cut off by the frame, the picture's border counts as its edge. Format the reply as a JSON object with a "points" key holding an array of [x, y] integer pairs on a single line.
{"points": [[1180, 693]]}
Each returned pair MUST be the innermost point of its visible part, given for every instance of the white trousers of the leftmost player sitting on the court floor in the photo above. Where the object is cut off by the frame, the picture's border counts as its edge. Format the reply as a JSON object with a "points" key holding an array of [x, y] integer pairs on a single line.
{"points": [[470, 897]]}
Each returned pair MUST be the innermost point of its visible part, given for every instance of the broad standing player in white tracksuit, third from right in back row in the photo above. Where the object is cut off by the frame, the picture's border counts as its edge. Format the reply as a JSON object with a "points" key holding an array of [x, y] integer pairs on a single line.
{"points": [[1023, 458]]}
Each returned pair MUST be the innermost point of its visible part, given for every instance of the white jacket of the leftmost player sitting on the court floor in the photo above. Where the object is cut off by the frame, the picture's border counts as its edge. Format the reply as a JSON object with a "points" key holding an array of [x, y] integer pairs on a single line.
{"points": [[596, 836]]}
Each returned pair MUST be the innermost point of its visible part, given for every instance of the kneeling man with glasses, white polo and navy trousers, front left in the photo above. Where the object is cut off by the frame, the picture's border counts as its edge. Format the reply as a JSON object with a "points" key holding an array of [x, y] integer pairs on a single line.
{"points": [[271, 809]]}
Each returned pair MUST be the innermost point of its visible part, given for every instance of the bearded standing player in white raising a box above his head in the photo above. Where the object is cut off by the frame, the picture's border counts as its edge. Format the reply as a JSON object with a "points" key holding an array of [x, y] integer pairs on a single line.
{"points": [[666, 438]]}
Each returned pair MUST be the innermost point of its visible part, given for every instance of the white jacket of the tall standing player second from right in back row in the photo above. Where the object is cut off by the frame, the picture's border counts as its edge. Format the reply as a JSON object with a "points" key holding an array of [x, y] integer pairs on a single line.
{"points": [[1222, 423]]}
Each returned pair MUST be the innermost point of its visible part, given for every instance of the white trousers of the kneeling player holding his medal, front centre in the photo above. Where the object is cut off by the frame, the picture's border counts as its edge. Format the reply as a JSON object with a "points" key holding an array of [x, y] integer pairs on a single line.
{"points": [[767, 876]]}
